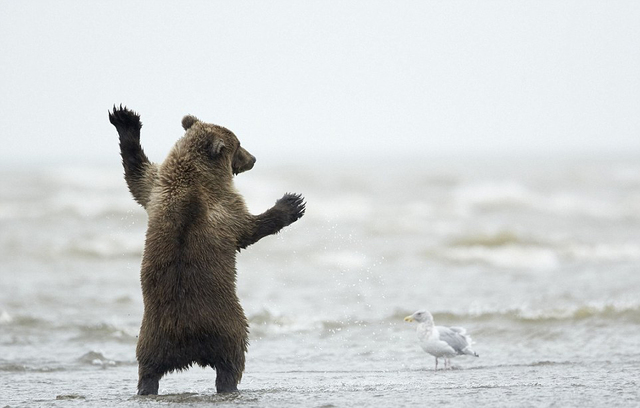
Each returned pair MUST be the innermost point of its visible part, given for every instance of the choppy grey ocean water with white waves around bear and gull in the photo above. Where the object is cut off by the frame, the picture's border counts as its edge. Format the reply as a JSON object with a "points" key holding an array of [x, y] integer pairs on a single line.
{"points": [[539, 259]]}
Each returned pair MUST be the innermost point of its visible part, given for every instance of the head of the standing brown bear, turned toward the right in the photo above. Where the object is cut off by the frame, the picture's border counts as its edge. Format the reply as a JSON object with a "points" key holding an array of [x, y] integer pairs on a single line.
{"points": [[214, 146]]}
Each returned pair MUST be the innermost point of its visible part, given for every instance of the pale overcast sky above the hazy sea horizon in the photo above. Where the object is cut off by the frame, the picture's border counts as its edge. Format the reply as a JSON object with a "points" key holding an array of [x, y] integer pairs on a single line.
{"points": [[338, 78]]}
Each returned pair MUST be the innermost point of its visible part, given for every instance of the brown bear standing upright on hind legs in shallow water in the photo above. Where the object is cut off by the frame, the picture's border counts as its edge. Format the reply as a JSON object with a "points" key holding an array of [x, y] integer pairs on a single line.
{"points": [[197, 223]]}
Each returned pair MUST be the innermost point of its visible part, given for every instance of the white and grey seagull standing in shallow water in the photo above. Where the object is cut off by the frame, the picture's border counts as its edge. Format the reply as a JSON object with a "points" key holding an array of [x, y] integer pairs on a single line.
{"points": [[440, 341]]}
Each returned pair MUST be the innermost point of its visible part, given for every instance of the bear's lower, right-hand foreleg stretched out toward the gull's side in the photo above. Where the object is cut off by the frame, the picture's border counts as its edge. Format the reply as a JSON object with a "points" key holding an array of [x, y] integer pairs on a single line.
{"points": [[287, 210]]}
